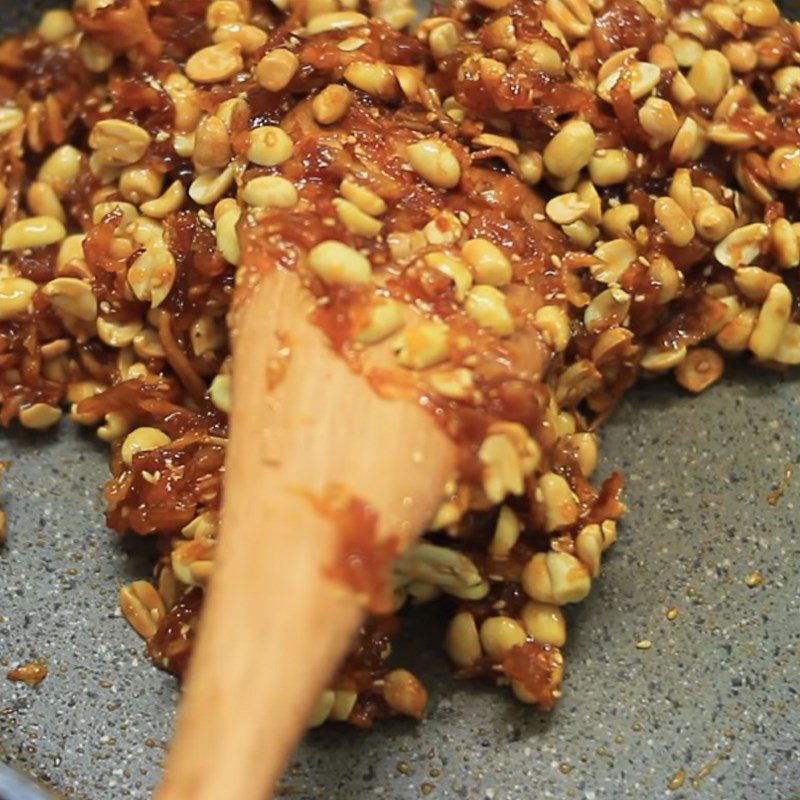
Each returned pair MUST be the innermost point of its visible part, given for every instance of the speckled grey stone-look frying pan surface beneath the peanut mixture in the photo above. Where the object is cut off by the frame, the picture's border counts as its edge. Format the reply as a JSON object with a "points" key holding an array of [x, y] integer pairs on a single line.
{"points": [[708, 711]]}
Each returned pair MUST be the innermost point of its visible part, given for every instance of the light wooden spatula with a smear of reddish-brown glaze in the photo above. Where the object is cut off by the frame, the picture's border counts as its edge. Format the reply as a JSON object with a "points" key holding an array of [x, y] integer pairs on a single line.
{"points": [[275, 623]]}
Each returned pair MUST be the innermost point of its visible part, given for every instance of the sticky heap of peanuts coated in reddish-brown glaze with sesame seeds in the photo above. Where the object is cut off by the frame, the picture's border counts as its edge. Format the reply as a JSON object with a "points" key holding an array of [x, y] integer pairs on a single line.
{"points": [[516, 210]]}
